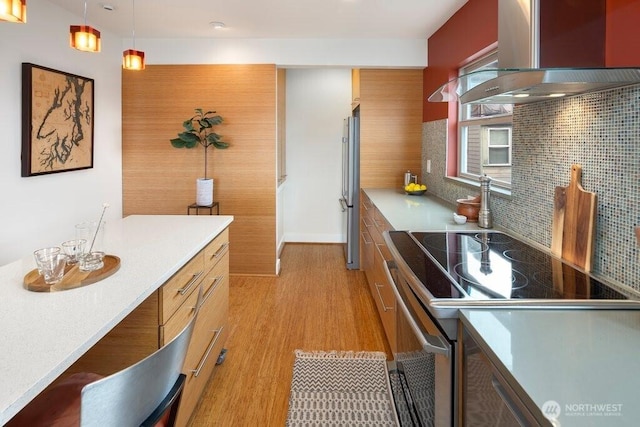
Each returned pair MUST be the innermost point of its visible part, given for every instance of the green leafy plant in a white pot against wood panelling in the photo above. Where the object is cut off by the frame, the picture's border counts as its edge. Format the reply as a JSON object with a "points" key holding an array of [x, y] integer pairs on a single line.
{"points": [[199, 130]]}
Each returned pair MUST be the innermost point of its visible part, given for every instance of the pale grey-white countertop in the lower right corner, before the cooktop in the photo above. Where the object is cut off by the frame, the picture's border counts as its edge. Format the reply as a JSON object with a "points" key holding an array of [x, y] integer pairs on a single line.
{"points": [[586, 361]]}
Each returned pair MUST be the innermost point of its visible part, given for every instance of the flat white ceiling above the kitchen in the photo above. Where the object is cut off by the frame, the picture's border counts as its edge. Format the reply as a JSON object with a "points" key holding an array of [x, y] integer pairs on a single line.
{"points": [[273, 19]]}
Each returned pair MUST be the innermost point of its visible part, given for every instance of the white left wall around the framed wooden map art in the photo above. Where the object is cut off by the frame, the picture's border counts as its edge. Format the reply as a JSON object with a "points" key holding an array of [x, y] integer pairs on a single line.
{"points": [[42, 210]]}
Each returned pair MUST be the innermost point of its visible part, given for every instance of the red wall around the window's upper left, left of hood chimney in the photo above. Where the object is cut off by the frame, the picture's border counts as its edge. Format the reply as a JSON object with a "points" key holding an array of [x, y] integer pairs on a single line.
{"points": [[471, 29]]}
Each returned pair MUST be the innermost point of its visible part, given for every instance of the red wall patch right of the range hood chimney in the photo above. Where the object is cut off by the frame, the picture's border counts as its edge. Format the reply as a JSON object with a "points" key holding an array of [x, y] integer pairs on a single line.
{"points": [[623, 33]]}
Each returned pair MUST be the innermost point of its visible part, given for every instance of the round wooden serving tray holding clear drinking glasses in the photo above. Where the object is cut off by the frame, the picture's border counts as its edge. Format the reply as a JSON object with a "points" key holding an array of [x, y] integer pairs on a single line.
{"points": [[73, 276]]}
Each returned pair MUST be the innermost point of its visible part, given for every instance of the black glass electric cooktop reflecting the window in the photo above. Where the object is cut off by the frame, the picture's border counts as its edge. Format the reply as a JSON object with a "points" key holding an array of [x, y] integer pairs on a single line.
{"points": [[493, 265]]}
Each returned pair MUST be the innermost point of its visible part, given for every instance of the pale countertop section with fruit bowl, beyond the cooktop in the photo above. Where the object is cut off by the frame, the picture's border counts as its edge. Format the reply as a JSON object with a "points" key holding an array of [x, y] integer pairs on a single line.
{"points": [[416, 213]]}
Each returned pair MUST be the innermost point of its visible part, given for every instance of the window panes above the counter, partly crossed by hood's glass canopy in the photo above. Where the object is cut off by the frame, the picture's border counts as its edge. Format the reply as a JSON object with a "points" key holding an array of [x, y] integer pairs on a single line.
{"points": [[484, 132]]}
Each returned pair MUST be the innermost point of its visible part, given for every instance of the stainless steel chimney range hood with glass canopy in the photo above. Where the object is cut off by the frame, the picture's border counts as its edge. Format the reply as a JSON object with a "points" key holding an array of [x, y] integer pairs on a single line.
{"points": [[546, 49]]}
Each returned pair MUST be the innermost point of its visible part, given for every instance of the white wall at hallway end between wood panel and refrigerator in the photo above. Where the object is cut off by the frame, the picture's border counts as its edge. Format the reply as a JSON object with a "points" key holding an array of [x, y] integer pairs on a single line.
{"points": [[318, 100]]}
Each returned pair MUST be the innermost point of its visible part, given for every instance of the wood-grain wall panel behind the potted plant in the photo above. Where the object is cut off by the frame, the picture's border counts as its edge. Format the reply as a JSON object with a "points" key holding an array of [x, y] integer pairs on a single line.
{"points": [[160, 179]]}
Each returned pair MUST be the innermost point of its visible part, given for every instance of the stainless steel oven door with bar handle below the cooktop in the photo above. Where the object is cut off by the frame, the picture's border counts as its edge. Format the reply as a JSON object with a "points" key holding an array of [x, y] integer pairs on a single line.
{"points": [[421, 373]]}
